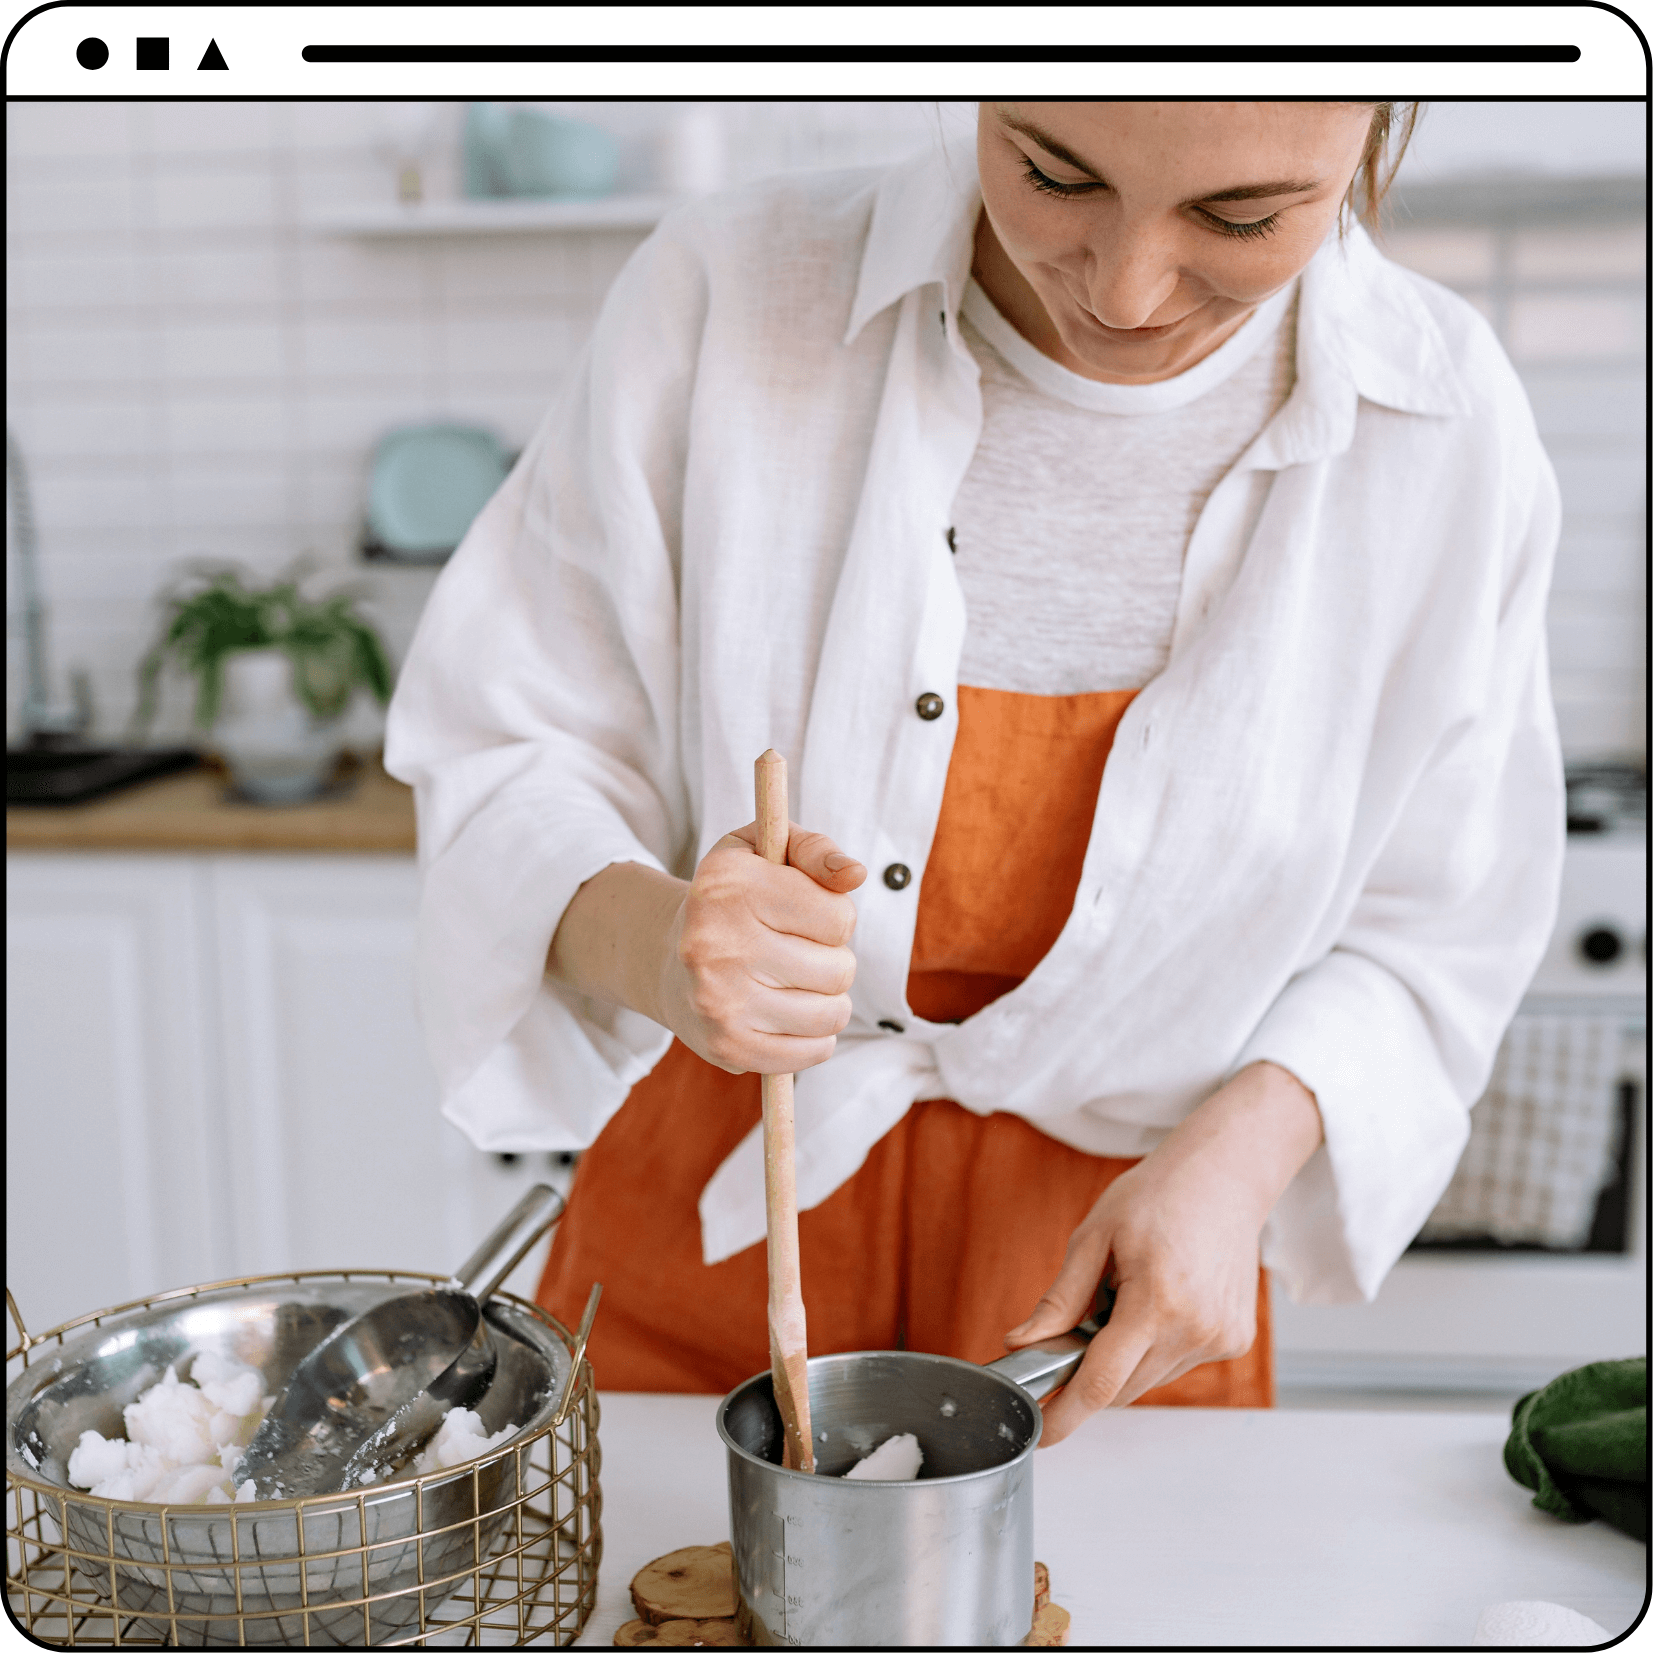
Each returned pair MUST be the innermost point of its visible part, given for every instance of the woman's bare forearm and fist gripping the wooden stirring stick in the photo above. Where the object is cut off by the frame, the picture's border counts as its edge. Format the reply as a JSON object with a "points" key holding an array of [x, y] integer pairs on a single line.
{"points": [[748, 963]]}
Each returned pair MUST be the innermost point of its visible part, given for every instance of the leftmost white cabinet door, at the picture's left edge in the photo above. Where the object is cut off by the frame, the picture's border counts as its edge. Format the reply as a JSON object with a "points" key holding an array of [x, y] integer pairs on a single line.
{"points": [[112, 1119]]}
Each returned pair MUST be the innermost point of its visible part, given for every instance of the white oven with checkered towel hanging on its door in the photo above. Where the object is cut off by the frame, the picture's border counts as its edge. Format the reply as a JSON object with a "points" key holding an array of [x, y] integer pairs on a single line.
{"points": [[1484, 1301]]}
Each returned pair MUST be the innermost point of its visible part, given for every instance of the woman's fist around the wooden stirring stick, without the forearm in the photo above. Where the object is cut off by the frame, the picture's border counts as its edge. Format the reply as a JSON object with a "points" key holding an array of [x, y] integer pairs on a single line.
{"points": [[758, 967]]}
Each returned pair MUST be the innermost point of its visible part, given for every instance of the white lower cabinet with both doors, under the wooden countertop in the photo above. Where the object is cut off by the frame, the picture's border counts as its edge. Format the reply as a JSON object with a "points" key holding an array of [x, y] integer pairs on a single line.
{"points": [[214, 1068]]}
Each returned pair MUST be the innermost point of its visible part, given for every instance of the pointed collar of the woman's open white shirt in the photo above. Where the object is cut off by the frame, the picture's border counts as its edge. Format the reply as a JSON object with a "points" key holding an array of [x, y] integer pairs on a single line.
{"points": [[1364, 330]]}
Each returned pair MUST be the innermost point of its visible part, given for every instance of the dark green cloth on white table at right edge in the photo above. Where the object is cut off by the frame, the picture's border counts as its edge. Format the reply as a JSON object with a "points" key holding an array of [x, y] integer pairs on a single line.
{"points": [[1582, 1445]]}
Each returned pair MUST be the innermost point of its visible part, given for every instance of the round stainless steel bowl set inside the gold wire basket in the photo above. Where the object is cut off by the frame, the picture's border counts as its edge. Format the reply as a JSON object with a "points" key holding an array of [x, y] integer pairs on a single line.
{"points": [[342, 1570]]}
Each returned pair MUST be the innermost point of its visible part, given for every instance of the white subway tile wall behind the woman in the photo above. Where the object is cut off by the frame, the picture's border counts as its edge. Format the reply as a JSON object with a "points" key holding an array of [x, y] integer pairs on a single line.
{"points": [[196, 373]]}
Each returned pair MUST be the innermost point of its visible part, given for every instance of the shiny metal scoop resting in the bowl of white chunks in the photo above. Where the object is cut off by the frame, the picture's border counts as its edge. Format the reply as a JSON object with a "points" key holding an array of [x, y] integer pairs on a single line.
{"points": [[375, 1389]]}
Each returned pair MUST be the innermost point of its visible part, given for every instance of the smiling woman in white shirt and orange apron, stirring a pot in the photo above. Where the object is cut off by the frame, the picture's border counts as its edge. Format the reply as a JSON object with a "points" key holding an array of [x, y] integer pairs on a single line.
{"points": [[955, 482]]}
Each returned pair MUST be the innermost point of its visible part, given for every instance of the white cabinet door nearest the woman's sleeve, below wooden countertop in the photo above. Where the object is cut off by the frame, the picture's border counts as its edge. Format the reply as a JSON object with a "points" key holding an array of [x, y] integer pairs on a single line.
{"points": [[340, 1157]]}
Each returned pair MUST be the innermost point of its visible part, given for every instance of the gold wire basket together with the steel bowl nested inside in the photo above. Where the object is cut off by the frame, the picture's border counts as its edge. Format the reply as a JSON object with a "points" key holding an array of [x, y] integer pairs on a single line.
{"points": [[500, 1551]]}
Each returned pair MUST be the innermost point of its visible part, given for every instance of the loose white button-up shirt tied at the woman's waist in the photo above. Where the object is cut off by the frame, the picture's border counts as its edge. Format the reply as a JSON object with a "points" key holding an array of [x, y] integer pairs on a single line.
{"points": [[1329, 833]]}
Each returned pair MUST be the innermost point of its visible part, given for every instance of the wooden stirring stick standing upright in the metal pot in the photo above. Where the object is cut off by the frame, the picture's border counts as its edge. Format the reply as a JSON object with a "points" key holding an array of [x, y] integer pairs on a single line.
{"points": [[788, 1342]]}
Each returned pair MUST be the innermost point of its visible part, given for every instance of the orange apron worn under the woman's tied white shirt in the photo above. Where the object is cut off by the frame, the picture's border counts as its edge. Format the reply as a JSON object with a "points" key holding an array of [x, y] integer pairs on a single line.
{"points": [[957, 1223]]}
